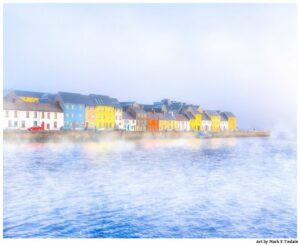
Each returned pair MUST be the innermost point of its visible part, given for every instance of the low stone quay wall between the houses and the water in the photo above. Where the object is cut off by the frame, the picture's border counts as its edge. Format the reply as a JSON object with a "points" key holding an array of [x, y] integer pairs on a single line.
{"points": [[94, 136]]}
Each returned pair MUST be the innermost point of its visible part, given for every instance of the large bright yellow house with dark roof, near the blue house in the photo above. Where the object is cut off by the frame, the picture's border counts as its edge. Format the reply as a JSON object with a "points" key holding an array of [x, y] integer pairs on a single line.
{"points": [[103, 111]]}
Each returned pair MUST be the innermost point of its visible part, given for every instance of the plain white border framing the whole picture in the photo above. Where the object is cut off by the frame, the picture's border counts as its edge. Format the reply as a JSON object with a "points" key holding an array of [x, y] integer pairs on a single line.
{"points": [[145, 241]]}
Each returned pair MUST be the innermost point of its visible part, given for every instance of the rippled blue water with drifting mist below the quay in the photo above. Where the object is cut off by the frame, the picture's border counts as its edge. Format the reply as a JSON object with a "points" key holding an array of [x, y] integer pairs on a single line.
{"points": [[212, 188]]}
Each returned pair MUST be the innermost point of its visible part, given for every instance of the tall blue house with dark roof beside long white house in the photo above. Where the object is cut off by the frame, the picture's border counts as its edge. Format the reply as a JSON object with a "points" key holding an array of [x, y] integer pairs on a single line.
{"points": [[73, 105]]}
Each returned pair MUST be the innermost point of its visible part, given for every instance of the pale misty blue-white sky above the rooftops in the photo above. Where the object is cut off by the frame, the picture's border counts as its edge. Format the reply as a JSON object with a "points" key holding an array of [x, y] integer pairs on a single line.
{"points": [[232, 57]]}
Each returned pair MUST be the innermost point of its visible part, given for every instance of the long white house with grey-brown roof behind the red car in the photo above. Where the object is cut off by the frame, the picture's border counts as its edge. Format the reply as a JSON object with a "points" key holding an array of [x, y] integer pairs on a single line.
{"points": [[23, 115]]}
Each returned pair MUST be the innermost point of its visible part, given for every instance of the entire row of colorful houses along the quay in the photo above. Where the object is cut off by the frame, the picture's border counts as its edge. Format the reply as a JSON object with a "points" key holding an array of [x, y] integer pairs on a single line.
{"points": [[64, 110]]}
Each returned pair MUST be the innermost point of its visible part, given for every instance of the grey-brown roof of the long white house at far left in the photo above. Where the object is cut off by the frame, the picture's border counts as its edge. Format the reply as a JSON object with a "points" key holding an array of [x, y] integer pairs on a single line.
{"points": [[27, 106]]}
